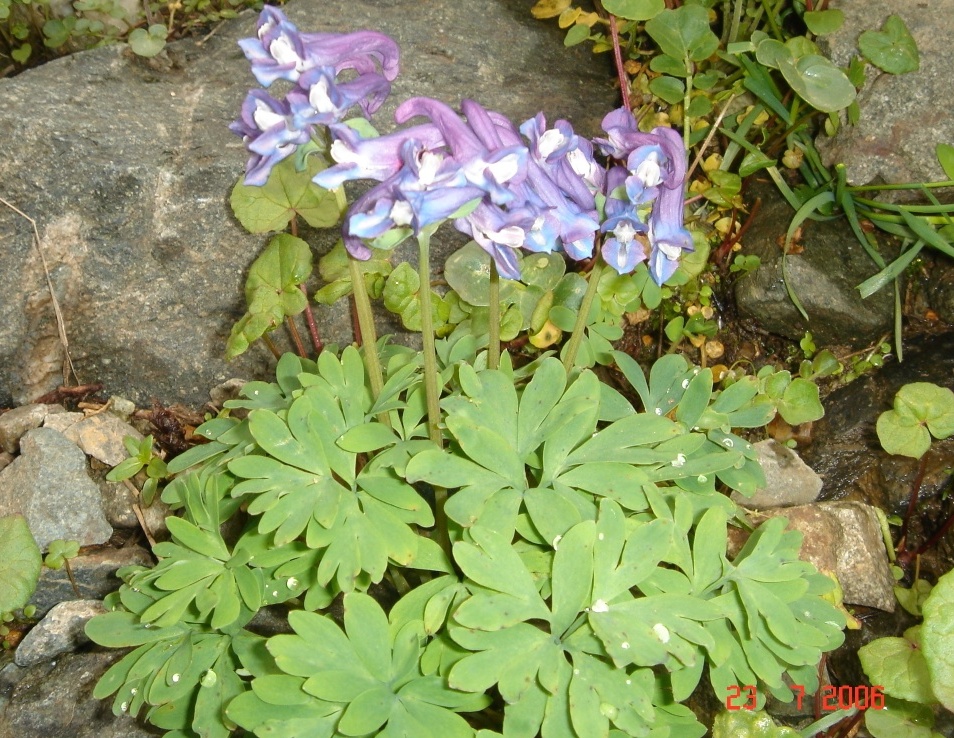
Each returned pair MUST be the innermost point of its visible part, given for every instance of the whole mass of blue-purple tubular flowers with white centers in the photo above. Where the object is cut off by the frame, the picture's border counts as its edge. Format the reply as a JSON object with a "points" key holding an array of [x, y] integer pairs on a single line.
{"points": [[535, 188]]}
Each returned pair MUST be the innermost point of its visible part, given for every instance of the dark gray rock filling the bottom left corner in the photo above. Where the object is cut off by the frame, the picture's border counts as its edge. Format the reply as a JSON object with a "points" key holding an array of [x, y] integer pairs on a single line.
{"points": [[54, 699]]}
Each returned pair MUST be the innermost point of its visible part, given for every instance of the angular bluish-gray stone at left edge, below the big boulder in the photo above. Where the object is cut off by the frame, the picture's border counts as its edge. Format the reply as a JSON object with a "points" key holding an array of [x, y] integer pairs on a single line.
{"points": [[48, 485]]}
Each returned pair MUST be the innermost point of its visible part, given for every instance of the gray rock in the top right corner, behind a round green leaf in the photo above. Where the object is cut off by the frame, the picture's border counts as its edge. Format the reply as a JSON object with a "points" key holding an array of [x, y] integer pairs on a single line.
{"points": [[901, 120]]}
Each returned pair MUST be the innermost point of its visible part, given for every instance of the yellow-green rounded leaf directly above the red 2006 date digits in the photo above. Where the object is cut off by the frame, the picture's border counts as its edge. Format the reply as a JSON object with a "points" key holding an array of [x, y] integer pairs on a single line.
{"points": [[899, 666]]}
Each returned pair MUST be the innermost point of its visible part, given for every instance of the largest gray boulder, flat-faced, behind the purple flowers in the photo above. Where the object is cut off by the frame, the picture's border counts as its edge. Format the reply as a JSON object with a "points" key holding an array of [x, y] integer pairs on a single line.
{"points": [[128, 164]]}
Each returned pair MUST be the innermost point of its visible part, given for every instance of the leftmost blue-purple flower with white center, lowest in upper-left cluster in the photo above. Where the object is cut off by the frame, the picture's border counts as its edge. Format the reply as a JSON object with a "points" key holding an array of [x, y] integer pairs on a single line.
{"points": [[267, 126]]}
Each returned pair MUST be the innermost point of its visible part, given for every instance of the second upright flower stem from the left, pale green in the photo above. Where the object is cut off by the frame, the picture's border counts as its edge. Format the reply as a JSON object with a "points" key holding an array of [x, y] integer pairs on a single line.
{"points": [[432, 385]]}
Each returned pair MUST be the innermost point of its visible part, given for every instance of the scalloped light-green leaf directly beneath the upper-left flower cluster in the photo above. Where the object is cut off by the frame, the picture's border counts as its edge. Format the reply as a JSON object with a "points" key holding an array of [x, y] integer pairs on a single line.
{"points": [[288, 192]]}
